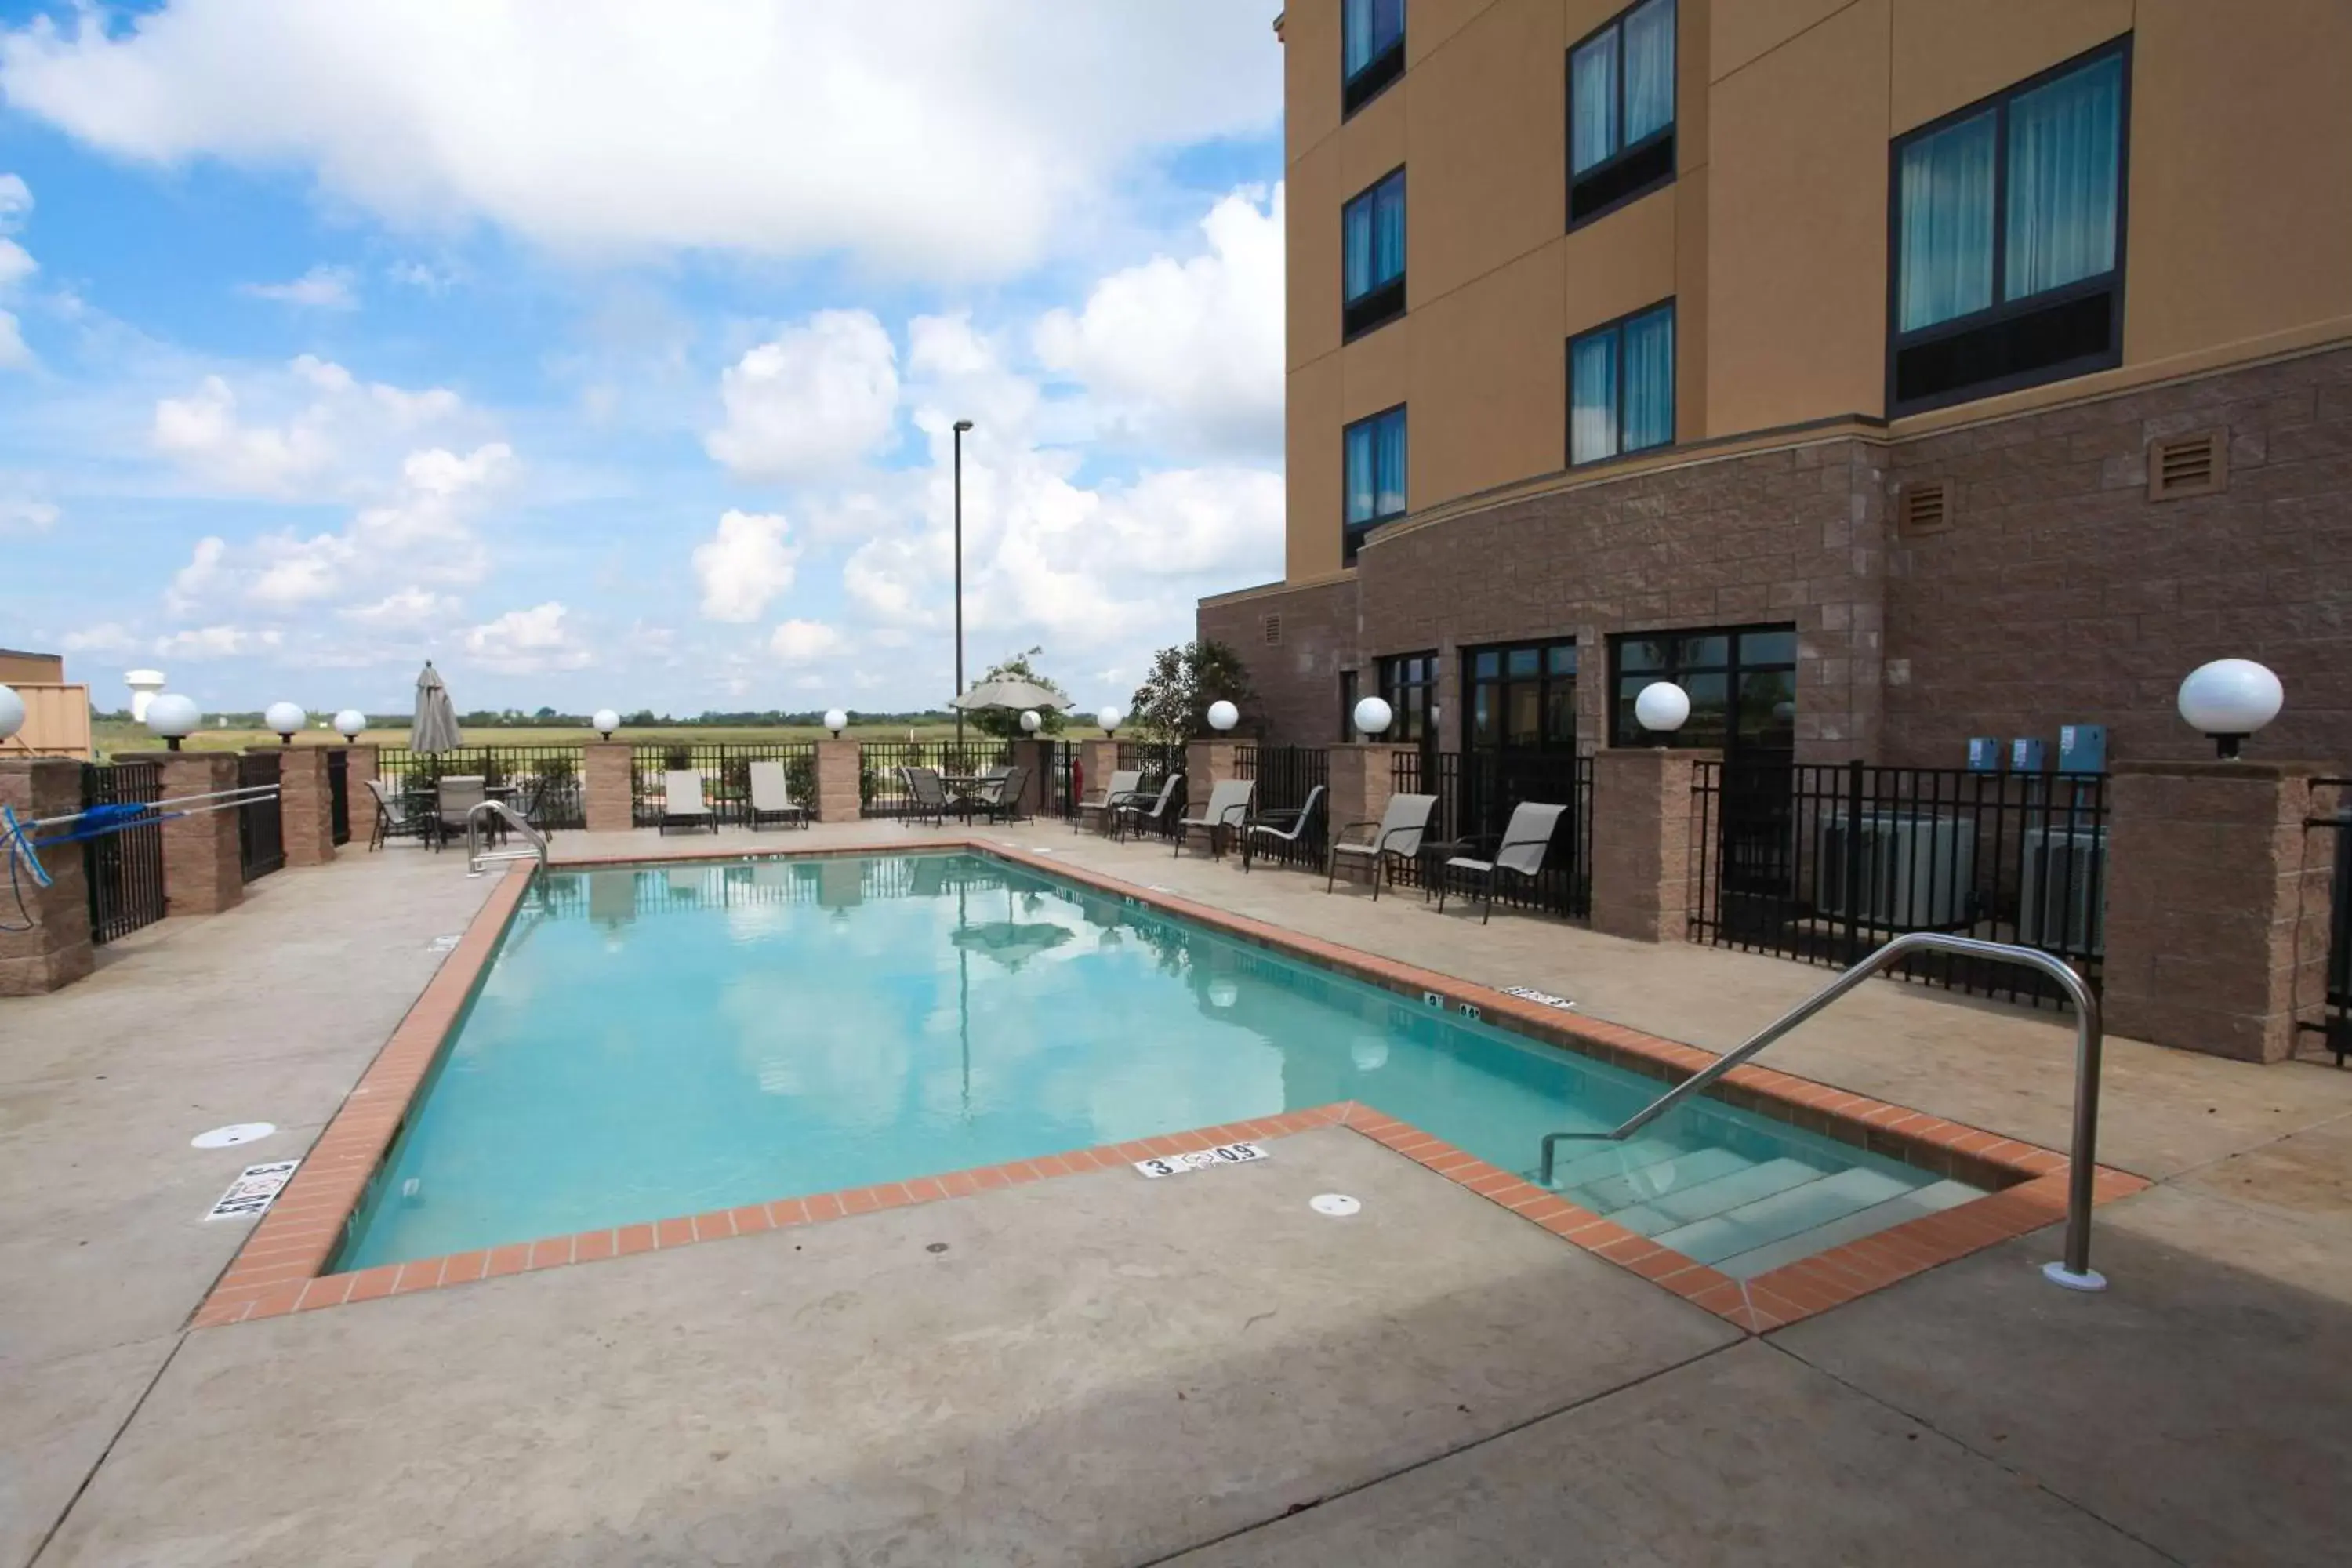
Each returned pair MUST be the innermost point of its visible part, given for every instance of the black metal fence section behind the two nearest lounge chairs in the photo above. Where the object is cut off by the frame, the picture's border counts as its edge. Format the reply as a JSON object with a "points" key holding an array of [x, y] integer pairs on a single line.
{"points": [[1478, 793]]}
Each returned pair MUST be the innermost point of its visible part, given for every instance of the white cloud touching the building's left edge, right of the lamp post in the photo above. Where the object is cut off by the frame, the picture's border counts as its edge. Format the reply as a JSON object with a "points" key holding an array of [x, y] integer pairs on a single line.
{"points": [[1189, 351]]}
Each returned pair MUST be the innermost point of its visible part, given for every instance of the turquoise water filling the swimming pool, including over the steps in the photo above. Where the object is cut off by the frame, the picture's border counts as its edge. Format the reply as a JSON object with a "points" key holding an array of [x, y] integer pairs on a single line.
{"points": [[655, 1043]]}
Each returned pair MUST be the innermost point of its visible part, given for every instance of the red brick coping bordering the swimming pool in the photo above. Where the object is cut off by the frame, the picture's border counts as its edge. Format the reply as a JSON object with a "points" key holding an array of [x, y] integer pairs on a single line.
{"points": [[281, 1266]]}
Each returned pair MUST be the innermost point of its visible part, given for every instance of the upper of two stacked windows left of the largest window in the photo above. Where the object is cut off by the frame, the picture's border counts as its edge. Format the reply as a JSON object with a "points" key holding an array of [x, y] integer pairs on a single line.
{"points": [[1622, 112]]}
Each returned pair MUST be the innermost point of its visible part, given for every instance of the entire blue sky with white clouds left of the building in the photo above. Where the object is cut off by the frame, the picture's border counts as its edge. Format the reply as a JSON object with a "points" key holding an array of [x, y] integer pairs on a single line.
{"points": [[606, 354]]}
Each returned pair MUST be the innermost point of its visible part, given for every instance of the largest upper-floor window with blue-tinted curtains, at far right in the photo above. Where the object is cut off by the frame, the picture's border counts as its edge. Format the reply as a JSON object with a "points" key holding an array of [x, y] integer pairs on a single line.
{"points": [[2010, 239]]}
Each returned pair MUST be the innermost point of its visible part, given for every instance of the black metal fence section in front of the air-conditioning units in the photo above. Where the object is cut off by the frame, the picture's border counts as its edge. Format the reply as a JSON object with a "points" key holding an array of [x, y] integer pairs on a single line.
{"points": [[1826, 862]]}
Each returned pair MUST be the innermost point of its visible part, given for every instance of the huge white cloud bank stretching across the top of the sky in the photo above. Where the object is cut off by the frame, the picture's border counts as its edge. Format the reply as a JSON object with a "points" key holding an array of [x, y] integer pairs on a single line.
{"points": [[951, 140]]}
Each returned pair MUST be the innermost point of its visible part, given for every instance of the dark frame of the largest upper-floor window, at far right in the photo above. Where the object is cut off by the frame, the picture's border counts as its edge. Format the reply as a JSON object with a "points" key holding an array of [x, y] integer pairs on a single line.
{"points": [[2007, 314]]}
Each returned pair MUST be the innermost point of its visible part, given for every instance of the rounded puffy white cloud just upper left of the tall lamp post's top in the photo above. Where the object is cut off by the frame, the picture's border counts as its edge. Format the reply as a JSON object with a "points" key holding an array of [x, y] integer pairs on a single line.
{"points": [[813, 401]]}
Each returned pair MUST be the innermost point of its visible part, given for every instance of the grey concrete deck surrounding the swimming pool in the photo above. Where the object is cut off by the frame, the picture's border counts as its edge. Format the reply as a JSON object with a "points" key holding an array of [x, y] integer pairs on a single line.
{"points": [[751, 1402]]}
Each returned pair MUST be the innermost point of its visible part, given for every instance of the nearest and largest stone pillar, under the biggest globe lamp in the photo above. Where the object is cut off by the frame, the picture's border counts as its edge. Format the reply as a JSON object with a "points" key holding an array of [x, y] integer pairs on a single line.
{"points": [[2217, 906]]}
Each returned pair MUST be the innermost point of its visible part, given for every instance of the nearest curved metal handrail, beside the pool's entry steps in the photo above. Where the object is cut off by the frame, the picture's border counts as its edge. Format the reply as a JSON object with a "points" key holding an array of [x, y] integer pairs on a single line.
{"points": [[2073, 1273]]}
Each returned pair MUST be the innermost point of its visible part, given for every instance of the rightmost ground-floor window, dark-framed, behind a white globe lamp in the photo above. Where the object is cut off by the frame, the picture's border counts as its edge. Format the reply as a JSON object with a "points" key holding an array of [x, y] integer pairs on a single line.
{"points": [[1742, 685]]}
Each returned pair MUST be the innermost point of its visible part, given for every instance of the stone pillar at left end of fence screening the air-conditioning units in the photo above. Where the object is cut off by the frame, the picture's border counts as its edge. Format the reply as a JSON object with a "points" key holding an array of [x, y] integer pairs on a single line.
{"points": [[1643, 843]]}
